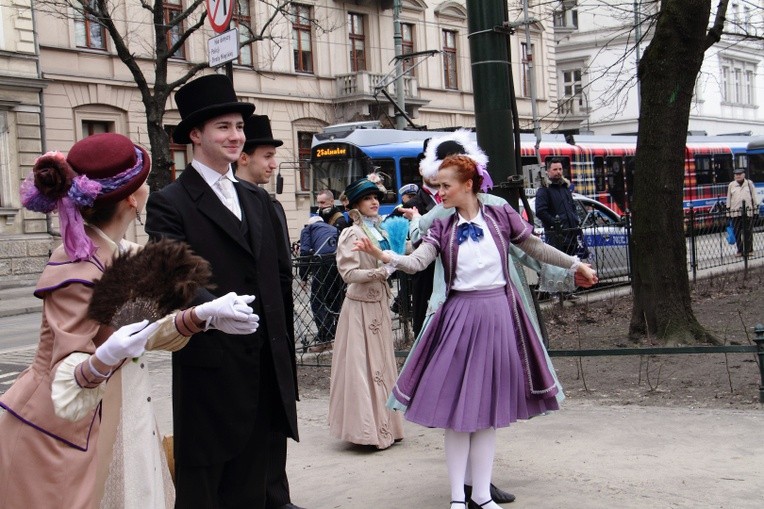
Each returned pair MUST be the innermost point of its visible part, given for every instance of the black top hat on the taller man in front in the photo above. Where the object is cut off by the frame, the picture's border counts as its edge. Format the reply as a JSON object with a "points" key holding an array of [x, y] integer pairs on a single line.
{"points": [[205, 98]]}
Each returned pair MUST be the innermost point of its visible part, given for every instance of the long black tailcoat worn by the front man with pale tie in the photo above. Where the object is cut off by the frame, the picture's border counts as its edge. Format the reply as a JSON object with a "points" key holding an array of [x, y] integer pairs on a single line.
{"points": [[216, 377]]}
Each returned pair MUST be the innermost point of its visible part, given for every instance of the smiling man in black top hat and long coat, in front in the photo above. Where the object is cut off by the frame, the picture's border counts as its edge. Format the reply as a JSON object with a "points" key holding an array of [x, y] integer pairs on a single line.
{"points": [[229, 392]]}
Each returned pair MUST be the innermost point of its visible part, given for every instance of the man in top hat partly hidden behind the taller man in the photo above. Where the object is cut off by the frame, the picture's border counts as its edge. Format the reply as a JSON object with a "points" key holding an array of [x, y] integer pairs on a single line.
{"points": [[255, 166]]}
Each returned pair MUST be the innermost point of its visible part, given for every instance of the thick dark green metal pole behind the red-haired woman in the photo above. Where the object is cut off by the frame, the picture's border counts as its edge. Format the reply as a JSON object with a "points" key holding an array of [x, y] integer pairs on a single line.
{"points": [[491, 70]]}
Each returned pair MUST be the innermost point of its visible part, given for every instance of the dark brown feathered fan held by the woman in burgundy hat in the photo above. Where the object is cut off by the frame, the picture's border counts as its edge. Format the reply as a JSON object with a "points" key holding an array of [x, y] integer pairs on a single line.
{"points": [[148, 284]]}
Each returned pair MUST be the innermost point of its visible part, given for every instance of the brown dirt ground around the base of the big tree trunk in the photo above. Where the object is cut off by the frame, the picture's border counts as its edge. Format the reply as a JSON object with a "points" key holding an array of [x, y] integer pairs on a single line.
{"points": [[727, 305]]}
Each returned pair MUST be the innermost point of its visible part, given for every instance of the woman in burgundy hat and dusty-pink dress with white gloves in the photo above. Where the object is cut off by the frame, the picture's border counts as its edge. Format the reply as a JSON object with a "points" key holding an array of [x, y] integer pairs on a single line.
{"points": [[61, 420]]}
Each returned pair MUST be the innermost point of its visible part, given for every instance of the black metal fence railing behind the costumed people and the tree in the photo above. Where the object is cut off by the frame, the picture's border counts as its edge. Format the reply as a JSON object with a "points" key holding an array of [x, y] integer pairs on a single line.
{"points": [[319, 291]]}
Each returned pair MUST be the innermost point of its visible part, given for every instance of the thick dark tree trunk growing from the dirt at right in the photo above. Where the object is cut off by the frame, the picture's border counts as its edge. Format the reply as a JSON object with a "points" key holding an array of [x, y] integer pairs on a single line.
{"points": [[667, 73]]}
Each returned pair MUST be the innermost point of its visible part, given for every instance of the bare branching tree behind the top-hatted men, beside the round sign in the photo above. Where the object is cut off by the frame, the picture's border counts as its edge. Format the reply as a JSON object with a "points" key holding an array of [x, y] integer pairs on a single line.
{"points": [[153, 81]]}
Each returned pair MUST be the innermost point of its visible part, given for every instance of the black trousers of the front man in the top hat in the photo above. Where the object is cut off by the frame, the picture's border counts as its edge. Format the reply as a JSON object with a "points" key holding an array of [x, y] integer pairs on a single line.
{"points": [[239, 482]]}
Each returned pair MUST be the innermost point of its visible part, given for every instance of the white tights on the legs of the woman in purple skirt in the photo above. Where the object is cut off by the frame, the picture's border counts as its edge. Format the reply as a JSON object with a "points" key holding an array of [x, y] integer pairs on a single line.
{"points": [[475, 450]]}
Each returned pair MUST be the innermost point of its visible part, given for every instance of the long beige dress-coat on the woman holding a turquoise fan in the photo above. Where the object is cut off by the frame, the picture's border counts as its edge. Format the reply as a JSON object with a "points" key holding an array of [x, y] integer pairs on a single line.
{"points": [[363, 363]]}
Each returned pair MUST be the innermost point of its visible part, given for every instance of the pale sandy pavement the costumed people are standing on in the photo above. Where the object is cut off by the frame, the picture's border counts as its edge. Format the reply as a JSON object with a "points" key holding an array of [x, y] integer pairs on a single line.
{"points": [[583, 457]]}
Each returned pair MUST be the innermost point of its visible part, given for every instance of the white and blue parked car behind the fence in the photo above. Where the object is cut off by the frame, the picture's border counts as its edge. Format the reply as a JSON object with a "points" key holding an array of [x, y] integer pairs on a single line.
{"points": [[605, 235]]}
